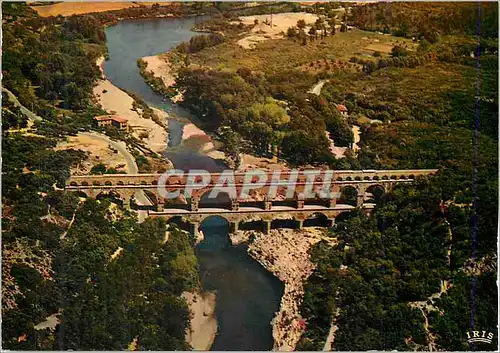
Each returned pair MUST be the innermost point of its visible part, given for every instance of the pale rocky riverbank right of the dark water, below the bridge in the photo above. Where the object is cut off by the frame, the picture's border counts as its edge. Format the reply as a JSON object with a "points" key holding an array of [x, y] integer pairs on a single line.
{"points": [[285, 253]]}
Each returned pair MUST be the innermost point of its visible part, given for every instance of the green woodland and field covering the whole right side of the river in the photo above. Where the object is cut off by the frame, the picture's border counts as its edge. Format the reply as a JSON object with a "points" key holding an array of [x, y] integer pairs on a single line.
{"points": [[423, 96]]}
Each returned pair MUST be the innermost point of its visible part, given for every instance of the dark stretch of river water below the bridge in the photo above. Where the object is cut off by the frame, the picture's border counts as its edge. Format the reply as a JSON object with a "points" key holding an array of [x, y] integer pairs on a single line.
{"points": [[247, 295]]}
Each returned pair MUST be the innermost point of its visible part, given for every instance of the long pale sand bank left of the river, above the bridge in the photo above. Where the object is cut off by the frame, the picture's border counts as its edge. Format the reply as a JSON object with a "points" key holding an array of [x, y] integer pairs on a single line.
{"points": [[115, 101]]}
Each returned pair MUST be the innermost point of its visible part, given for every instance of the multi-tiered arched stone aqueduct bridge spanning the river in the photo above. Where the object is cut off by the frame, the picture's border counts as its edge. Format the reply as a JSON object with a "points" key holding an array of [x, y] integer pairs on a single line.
{"points": [[258, 207]]}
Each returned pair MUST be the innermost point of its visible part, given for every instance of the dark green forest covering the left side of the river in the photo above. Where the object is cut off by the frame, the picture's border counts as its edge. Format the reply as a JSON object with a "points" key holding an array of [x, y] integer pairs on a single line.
{"points": [[82, 262]]}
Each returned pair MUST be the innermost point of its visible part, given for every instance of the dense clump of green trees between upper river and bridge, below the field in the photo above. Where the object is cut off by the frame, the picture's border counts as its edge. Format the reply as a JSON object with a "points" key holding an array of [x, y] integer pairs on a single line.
{"points": [[266, 111]]}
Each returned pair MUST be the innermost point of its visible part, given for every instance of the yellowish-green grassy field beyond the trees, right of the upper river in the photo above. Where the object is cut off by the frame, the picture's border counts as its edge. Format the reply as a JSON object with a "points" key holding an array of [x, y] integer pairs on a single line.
{"points": [[278, 54]]}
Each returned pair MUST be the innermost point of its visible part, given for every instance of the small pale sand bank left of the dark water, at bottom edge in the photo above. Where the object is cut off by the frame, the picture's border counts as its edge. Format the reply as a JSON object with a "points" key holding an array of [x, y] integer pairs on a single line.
{"points": [[203, 322]]}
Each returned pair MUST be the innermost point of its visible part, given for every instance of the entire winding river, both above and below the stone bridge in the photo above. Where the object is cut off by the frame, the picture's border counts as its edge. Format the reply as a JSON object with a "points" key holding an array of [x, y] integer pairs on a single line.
{"points": [[247, 295]]}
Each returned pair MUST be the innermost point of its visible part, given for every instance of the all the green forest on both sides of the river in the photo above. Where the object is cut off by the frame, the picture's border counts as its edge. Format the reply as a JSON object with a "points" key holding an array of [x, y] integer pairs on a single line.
{"points": [[91, 265]]}
